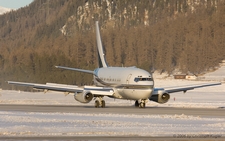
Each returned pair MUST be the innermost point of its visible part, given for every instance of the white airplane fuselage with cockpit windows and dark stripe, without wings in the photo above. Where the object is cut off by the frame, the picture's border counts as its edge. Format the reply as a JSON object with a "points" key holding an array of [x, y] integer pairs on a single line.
{"points": [[122, 79]]}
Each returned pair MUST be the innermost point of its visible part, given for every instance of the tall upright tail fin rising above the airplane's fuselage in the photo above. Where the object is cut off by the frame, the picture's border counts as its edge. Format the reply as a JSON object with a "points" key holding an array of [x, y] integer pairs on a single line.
{"points": [[101, 55]]}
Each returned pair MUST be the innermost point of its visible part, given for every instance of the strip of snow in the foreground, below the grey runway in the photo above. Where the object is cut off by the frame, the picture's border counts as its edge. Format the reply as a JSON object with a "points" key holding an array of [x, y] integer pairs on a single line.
{"points": [[55, 124]]}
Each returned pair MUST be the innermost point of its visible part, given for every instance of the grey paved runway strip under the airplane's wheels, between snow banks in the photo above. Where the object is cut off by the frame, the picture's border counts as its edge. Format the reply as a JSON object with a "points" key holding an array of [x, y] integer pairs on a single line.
{"points": [[202, 112]]}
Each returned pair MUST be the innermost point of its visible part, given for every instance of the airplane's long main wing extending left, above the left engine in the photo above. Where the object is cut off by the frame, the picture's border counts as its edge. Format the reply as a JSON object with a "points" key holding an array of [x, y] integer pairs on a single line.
{"points": [[96, 91]]}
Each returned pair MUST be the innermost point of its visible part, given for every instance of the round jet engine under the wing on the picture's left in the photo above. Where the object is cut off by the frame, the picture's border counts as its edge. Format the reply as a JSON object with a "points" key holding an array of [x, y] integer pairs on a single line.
{"points": [[84, 97]]}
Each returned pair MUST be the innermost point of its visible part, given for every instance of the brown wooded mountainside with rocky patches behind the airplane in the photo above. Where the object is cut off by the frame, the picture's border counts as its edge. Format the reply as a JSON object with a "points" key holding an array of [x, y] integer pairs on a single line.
{"points": [[162, 35]]}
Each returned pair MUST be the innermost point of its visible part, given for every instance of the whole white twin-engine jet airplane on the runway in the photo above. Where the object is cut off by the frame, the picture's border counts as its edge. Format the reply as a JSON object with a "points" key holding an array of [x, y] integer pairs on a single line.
{"points": [[127, 83]]}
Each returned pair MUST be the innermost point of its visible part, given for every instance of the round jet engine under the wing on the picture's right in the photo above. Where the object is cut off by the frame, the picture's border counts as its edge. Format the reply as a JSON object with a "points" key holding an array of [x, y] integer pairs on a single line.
{"points": [[160, 96]]}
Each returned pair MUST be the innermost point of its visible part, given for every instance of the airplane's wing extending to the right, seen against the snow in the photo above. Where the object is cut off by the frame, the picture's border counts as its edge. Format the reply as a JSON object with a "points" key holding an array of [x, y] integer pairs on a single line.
{"points": [[186, 88]]}
